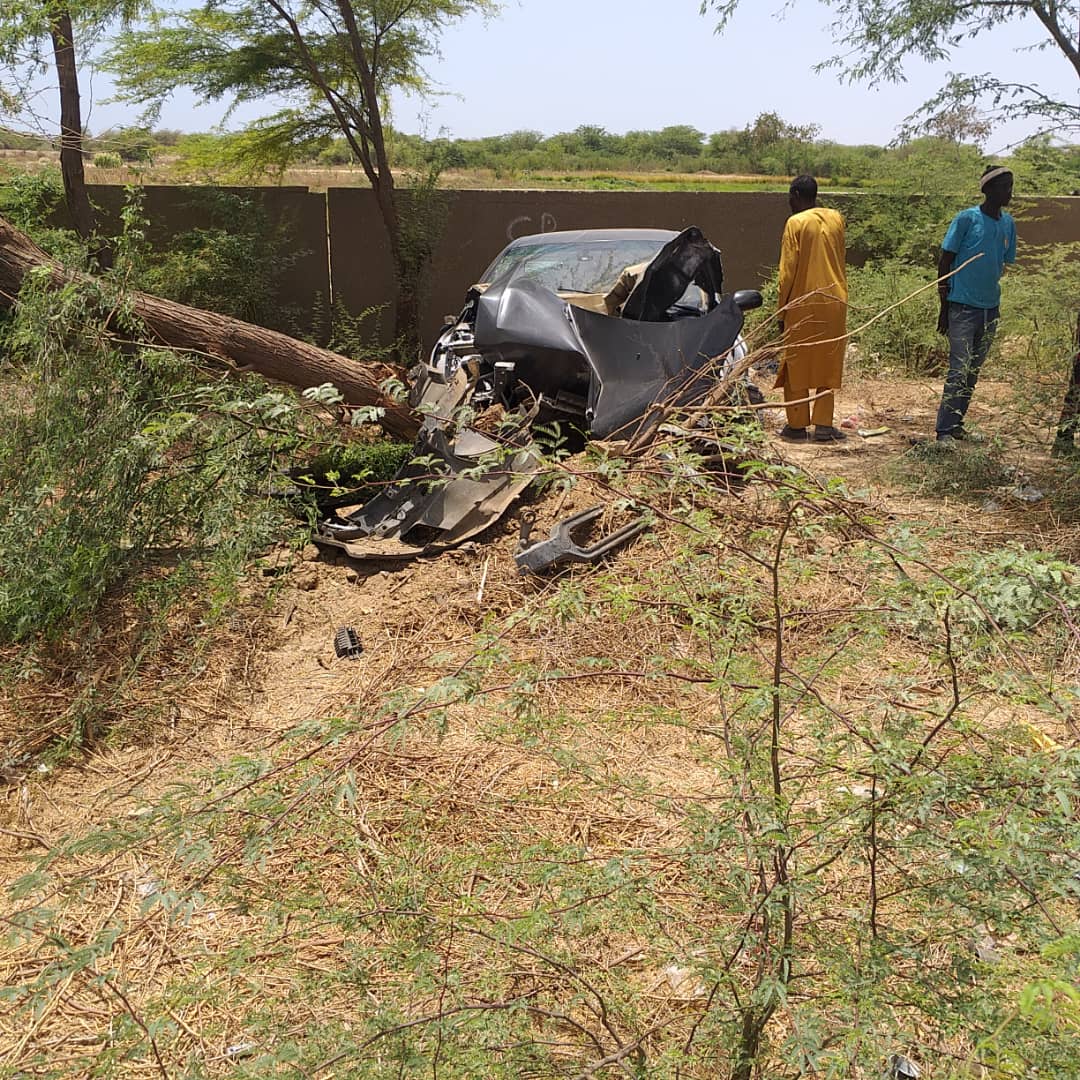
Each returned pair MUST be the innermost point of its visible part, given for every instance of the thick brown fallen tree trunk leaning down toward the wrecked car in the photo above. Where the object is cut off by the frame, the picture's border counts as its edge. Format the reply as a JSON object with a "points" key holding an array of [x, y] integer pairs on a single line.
{"points": [[246, 346]]}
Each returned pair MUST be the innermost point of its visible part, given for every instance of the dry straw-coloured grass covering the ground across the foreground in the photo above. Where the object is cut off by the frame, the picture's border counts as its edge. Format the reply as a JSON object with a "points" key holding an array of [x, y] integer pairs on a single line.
{"points": [[520, 836]]}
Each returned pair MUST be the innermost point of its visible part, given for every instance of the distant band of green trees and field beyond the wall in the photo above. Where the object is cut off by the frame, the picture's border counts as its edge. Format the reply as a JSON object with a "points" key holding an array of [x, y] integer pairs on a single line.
{"points": [[768, 147]]}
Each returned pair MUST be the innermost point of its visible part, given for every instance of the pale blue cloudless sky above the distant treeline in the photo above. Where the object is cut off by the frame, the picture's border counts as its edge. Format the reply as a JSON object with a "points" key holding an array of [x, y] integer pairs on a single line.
{"points": [[624, 65]]}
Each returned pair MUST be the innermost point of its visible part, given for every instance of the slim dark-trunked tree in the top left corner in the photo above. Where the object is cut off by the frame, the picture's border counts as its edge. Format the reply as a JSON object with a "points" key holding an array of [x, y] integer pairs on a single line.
{"points": [[30, 28]]}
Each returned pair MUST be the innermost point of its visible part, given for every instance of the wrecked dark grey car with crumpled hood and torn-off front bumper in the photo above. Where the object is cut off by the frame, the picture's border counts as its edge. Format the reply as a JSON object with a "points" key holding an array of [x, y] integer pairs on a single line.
{"points": [[577, 333]]}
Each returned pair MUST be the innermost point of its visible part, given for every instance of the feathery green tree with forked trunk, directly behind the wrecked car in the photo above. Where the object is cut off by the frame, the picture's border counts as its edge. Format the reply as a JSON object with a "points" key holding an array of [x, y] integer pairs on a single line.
{"points": [[333, 63]]}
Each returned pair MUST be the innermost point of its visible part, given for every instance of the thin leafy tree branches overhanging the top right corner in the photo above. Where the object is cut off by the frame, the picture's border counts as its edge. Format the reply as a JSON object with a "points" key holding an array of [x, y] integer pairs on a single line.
{"points": [[879, 37]]}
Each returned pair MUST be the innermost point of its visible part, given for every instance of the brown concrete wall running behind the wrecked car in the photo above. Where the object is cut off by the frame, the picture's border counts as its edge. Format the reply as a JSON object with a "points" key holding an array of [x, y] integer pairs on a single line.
{"points": [[341, 247]]}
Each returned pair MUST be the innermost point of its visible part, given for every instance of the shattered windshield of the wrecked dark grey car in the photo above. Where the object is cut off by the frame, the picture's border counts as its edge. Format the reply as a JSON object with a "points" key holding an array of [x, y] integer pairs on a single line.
{"points": [[584, 266]]}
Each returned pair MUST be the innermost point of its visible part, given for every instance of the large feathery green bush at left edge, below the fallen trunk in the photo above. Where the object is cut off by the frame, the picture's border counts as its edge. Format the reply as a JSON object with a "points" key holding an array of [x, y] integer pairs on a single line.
{"points": [[110, 455]]}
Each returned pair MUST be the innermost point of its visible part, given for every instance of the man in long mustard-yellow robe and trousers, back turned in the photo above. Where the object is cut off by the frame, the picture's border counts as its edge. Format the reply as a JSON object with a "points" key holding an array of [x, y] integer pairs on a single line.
{"points": [[814, 312]]}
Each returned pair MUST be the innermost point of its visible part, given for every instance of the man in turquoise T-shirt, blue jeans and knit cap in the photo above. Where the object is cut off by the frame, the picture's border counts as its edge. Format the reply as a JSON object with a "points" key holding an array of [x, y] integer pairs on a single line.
{"points": [[970, 300]]}
